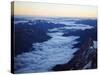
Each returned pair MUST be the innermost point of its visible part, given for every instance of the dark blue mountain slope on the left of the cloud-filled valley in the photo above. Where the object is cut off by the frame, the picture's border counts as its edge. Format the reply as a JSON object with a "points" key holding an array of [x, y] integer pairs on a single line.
{"points": [[27, 33]]}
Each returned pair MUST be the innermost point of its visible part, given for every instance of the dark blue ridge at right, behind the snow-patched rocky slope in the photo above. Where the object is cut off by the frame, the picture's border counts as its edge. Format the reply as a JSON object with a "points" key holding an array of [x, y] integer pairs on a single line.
{"points": [[84, 35]]}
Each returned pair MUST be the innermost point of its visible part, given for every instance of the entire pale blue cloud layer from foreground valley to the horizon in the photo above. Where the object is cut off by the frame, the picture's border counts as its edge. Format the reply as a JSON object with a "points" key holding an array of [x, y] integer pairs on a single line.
{"points": [[58, 49]]}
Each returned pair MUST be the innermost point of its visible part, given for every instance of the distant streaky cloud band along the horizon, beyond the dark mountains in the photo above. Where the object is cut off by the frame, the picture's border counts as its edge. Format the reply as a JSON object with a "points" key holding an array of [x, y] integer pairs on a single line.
{"points": [[69, 22]]}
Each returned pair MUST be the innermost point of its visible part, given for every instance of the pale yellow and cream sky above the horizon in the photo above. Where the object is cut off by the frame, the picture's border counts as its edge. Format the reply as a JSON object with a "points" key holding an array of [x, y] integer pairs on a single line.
{"points": [[54, 10]]}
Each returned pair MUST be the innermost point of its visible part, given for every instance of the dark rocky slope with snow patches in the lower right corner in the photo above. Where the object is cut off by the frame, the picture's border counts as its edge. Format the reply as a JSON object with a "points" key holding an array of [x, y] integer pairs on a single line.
{"points": [[85, 58]]}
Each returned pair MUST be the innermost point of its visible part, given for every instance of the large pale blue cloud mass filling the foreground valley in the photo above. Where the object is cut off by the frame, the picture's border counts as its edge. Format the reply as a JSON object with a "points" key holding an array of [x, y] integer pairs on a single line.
{"points": [[57, 50]]}
